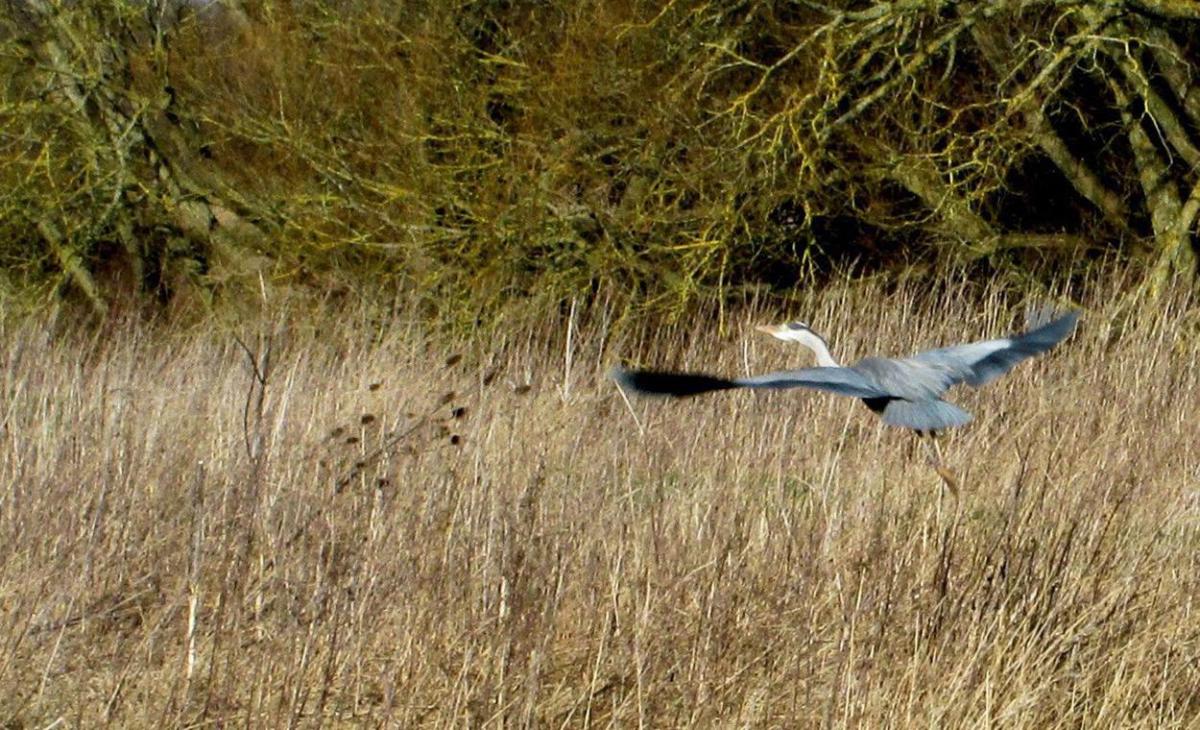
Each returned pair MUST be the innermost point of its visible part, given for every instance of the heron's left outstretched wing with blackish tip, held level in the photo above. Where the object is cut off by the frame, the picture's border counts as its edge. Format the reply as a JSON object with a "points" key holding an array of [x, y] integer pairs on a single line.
{"points": [[843, 381]]}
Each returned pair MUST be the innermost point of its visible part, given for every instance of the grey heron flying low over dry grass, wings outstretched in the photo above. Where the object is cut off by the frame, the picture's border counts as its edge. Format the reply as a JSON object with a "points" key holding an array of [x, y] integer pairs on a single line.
{"points": [[905, 392]]}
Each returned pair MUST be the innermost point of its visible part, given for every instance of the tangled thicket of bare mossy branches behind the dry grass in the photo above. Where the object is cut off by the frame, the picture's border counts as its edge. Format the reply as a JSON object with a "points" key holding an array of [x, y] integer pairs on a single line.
{"points": [[478, 152]]}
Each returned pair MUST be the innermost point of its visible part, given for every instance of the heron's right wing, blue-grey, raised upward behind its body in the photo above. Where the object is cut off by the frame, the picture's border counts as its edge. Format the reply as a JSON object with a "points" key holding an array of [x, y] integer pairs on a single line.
{"points": [[981, 363]]}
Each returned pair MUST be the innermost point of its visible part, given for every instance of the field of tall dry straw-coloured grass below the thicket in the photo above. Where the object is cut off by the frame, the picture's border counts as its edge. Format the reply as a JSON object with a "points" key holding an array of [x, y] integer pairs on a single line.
{"points": [[344, 543]]}
